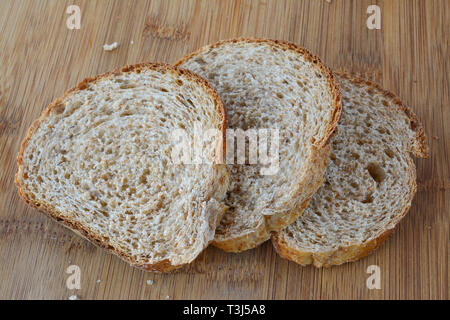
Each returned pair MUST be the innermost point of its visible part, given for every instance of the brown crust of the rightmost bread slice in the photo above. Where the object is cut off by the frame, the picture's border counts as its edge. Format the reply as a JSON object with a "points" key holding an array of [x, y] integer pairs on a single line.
{"points": [[357, 251]]}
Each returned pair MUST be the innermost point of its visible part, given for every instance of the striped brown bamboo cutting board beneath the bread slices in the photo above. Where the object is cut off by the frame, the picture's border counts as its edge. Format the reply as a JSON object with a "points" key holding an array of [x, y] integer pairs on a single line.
{"points": [[40, 58]]}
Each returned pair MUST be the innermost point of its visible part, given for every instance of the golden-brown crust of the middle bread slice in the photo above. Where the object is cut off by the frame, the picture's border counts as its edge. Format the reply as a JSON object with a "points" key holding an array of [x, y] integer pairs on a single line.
{"points": [[313, 175]]}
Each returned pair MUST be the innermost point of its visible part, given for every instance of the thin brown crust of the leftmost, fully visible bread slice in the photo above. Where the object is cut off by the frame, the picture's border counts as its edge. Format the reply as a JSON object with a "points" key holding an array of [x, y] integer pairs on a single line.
{"points": [[78, 228]]}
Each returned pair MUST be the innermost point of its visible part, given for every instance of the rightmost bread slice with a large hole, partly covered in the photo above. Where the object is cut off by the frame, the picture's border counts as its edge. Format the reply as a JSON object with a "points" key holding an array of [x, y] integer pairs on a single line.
{"points": [[369, 183]]}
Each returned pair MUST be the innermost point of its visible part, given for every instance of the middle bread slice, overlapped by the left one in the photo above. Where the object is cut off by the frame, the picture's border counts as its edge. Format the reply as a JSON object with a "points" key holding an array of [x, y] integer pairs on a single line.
{"points": [[274, 85]]}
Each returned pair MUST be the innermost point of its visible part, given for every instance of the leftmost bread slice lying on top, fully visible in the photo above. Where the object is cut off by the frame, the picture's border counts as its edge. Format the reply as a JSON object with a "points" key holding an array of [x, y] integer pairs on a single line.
{"points": [[98, 160]]}
